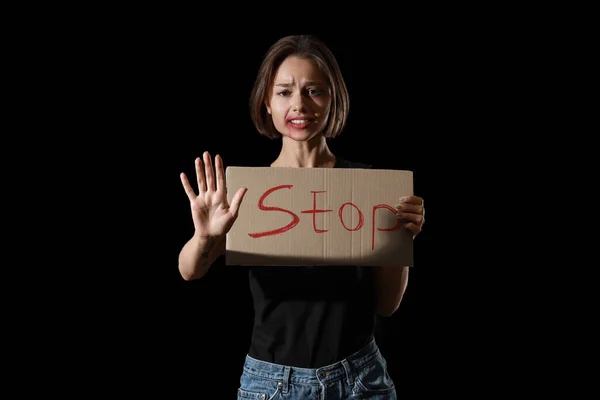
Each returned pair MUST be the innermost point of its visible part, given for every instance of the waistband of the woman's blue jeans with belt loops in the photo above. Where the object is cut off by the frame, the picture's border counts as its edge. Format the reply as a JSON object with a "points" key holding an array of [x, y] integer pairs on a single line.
{"points": [[285, 374]]}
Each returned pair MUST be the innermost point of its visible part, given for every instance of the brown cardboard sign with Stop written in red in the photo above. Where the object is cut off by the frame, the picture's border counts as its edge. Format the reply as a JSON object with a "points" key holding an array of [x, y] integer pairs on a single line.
{"points": [[318, 216]]}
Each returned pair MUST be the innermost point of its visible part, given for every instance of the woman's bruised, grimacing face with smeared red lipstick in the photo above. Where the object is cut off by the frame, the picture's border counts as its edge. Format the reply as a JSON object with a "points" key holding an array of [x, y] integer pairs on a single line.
{"points": [[300, 99]]}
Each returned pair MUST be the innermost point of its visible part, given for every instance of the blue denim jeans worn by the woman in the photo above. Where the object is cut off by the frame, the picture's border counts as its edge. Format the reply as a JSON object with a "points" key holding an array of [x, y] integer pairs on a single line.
{"points": [[362, 375]]}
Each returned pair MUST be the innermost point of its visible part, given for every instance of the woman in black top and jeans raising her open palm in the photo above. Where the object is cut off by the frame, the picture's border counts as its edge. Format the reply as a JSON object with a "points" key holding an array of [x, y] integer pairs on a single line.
{"points": [[313, 335]]}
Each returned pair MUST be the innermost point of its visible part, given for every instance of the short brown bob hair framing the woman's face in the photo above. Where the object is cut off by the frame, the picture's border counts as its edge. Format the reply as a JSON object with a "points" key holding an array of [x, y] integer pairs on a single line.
{"points": [[308, 47]]}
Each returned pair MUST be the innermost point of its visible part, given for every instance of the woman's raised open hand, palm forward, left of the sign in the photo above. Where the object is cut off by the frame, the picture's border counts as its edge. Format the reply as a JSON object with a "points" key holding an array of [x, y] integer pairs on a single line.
{"points": [[212, 214]]}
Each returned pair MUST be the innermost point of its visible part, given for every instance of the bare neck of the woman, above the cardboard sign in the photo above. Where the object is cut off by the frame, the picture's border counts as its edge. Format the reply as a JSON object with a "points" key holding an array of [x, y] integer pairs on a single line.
{"points": [[313, 153]]}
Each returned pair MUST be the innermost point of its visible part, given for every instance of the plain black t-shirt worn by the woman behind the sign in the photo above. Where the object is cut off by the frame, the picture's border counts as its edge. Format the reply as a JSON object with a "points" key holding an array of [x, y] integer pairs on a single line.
{"points": [[311, 316]]}
